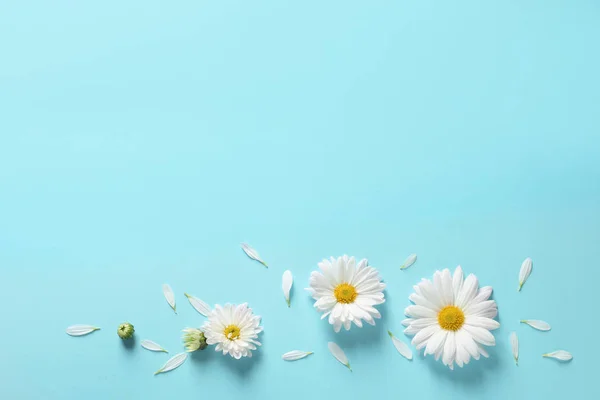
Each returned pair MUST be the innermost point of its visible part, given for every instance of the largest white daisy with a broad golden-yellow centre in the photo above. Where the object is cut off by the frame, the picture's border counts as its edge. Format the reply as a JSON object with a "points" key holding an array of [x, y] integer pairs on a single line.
{"points": [[452, 318]]}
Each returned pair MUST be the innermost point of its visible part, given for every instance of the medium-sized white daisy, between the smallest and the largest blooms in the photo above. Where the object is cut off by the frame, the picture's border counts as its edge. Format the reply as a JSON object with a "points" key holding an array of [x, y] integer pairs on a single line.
{"points": [[346, 291]]}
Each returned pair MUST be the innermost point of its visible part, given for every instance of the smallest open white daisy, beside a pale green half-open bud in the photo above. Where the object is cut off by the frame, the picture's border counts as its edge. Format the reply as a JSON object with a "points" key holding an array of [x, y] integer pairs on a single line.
{"points": [[234, 329]]}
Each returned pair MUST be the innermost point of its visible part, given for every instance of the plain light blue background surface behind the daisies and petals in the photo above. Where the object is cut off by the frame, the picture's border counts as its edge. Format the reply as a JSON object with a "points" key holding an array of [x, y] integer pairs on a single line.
{"points": [[142, 141]]}
